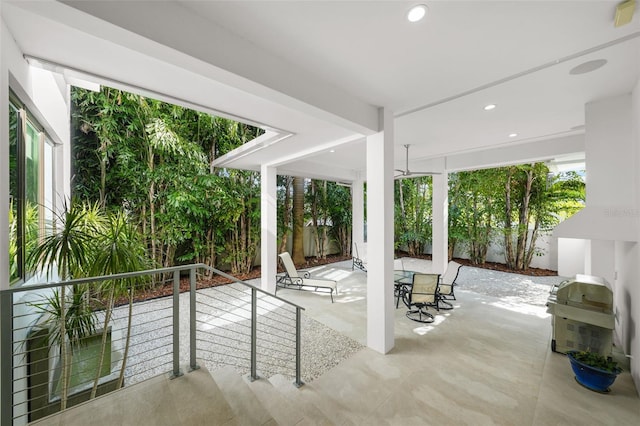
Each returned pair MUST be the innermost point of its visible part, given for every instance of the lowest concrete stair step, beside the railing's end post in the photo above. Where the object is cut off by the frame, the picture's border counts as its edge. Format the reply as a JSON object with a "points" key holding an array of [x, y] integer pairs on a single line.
{"points": [[302, 399]]}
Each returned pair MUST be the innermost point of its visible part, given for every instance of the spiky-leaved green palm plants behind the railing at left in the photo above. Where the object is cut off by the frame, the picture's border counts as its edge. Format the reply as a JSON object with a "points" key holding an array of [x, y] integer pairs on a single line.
{"points": [[87, 241]]}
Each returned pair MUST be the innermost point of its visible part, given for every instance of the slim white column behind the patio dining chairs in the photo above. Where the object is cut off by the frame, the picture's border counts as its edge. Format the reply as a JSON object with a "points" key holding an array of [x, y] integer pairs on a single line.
{"points": [[440, 224]]}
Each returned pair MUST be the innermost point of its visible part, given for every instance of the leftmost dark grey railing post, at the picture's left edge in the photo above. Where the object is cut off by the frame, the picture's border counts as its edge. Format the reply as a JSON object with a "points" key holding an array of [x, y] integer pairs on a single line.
{"points": [[6, 354]]}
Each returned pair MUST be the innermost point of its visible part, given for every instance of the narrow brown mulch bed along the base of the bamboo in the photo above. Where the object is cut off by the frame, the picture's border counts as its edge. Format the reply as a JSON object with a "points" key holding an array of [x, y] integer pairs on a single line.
{"points": [[205, 282]]}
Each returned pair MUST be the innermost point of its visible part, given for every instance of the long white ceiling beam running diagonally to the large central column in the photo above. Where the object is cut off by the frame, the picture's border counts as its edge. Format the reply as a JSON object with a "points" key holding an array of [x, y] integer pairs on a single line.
{"points": [[233, 57]]}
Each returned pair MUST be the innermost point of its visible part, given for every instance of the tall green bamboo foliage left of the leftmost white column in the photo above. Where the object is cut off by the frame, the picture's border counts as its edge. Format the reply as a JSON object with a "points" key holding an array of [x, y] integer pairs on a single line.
{"points": [[154, 161]]}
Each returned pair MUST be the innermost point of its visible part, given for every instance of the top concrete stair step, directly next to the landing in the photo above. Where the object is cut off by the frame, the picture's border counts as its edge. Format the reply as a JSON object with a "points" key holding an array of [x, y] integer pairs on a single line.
{"points": [[247, 408]]}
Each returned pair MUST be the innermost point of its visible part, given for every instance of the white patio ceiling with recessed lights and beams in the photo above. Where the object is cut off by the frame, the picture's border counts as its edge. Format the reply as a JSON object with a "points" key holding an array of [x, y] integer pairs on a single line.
{"points": [[320, 69]]}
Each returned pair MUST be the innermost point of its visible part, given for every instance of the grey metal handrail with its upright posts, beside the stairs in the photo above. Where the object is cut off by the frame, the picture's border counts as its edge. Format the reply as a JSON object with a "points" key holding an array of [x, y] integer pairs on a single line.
{"points": [[7, 324]]}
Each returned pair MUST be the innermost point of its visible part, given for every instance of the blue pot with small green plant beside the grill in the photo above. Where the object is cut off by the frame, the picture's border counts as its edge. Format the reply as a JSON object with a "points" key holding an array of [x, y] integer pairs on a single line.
{"points": [[593, 371]]}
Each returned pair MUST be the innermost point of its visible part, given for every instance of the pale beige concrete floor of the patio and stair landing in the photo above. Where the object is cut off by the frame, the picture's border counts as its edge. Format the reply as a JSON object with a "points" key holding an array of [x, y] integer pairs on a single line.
{"points": [[486, 362]]}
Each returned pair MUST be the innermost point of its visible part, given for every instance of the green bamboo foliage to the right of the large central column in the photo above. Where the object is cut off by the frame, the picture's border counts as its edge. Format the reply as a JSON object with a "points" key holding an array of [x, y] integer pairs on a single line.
{"points": [[509, 206]]}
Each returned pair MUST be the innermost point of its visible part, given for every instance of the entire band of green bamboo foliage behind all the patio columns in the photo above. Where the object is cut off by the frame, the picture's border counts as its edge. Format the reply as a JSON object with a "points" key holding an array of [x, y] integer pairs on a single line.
{"points": [[154, 161]]}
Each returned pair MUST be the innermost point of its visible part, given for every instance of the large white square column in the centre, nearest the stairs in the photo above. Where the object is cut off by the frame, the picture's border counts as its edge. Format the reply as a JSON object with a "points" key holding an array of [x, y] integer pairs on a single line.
{"points": [[380, 307]]}
